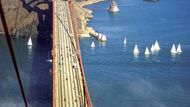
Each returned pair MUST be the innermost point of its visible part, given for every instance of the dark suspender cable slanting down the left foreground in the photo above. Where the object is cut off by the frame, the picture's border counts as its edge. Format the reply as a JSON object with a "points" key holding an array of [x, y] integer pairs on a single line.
{"points": [[8, 38]]}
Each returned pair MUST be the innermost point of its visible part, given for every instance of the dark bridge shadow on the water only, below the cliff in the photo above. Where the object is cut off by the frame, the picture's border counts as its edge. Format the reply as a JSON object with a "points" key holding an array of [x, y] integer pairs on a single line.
{"points": [[40, 90]]}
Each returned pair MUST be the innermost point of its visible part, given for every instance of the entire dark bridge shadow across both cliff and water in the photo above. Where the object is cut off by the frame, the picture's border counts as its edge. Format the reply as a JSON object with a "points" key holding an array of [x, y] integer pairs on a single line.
{"points": [[40, 88]]}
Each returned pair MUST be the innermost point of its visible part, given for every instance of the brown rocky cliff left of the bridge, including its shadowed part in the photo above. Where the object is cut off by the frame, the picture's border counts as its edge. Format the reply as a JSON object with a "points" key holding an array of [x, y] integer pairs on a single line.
{"points": [[27, 17]]}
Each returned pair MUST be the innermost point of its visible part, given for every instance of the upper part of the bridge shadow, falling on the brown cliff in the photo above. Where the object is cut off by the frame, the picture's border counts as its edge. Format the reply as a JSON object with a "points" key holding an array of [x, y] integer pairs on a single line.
{"points": [[44, 16]]}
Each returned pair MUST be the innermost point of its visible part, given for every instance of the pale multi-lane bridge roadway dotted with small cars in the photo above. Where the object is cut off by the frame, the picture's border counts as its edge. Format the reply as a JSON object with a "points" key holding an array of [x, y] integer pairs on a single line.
{"points": [[68, 80]]}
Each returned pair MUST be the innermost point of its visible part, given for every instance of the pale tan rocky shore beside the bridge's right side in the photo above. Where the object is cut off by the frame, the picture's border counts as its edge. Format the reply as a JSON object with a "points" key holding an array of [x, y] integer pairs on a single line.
{"points": [[83, 16]]}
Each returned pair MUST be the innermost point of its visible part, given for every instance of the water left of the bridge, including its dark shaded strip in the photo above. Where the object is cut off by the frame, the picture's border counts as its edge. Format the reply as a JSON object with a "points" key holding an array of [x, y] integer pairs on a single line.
{"points": [[34, 72]]}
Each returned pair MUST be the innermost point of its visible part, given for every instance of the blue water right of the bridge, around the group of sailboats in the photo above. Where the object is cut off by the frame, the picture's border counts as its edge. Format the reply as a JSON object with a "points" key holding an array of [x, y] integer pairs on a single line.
{"points": [[116, 78]]}
